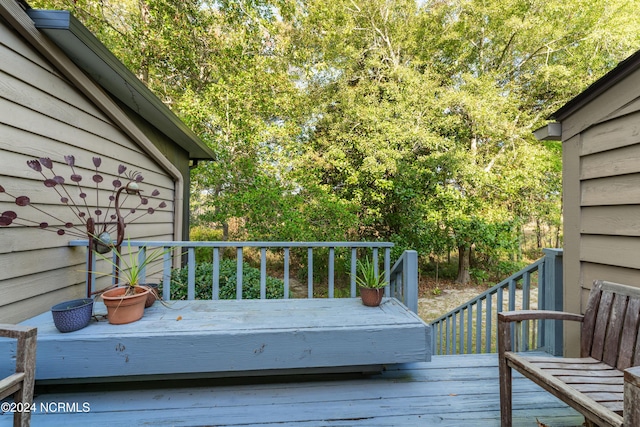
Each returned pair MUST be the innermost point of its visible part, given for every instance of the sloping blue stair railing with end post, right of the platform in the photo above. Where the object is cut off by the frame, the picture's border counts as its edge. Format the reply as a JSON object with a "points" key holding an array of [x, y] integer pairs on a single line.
{"points": [[471, 327]]}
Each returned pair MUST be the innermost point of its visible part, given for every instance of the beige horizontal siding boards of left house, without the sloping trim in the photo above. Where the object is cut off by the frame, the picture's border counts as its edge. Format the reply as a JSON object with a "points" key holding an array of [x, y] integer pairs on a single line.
{"points": [[43, 115]]}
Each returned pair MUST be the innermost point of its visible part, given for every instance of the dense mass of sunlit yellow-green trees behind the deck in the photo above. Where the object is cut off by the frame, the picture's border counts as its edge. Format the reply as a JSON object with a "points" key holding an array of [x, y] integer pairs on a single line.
{"points": [[397, 120]]}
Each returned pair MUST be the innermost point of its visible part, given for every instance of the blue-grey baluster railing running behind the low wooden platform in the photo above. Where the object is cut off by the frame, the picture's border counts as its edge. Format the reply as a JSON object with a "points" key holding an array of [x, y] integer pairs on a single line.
{"points": [[402, 277]]}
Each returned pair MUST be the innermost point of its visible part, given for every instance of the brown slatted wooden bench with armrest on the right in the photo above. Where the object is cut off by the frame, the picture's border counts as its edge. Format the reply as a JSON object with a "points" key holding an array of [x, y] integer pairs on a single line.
{"points": [[594, 384]]}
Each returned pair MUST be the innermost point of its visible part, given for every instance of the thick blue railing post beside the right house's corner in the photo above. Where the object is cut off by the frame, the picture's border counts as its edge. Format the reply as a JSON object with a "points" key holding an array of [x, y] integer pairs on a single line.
{"points": [[552, 289]]}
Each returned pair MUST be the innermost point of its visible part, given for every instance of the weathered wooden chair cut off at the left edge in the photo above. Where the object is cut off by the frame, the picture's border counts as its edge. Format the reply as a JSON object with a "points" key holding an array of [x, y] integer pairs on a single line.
{"points": [[21, 384]]}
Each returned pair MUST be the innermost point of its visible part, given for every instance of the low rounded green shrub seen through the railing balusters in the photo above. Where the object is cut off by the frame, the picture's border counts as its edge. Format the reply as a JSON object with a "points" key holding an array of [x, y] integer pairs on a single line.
{"points": [[228, 281]]}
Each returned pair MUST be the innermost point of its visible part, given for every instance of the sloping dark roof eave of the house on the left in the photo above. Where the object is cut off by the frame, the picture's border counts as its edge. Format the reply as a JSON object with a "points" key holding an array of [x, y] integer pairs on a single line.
{"points": [[88, 53]]}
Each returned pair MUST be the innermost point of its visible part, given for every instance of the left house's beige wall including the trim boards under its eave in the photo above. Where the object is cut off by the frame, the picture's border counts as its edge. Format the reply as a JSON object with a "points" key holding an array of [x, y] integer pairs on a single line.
{"points": [[50, 108]]}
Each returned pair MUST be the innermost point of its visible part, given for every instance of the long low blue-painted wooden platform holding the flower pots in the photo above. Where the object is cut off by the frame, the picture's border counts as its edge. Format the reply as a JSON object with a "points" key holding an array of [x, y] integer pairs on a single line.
{"points": [[231, 338]]}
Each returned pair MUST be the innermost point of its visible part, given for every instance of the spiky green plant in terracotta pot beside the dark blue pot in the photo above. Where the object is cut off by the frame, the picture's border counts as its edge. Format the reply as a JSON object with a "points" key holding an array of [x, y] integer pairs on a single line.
{"points": [[126, 303]]}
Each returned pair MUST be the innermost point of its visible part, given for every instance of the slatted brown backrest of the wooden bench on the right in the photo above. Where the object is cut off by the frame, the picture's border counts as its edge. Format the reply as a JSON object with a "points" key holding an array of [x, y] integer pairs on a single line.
{"points": [[610, 328]]}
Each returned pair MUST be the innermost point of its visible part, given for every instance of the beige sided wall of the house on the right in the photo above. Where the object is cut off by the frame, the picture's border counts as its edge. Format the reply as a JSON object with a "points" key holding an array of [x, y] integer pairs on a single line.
{"points": [[601, 184]]}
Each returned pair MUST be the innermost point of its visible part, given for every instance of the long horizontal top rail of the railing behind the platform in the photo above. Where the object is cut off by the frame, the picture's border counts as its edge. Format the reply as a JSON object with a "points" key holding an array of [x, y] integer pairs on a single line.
{"points": [[252, 244]]}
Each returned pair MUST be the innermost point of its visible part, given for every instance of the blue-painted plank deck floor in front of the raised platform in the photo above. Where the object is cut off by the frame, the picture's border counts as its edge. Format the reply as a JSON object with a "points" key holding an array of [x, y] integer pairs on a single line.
{"points": [[451, 391]]}
